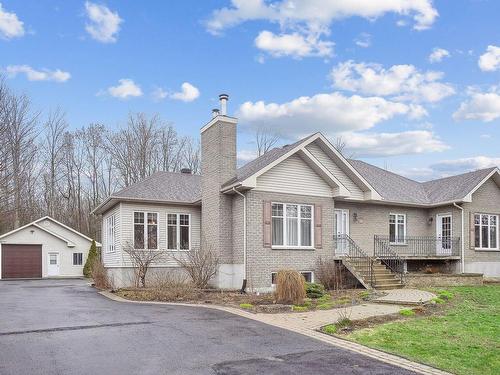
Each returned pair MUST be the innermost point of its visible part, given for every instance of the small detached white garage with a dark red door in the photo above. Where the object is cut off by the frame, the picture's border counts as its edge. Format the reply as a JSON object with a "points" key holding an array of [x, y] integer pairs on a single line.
{"points": [[43, 248]]}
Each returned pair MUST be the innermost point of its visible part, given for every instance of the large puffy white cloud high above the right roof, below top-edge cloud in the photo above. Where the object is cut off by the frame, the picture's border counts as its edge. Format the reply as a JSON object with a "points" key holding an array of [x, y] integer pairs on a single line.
{"points": [[403, 82]]}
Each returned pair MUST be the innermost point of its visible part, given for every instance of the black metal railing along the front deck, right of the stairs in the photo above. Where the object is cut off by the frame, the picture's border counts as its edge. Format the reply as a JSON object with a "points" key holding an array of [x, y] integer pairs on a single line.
{"points": [[419, 246]]}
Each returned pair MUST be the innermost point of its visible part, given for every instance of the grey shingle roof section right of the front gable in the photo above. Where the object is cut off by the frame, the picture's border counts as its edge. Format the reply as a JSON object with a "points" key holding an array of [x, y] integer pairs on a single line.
{"points": [[396, 188]]}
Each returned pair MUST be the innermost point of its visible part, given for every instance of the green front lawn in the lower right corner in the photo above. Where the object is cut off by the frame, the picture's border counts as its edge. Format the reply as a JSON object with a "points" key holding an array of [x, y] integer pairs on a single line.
{"points": [[464, 340]]}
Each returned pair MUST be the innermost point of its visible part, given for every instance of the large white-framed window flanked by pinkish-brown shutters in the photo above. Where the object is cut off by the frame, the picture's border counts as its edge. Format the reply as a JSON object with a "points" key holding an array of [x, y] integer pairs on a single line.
{"points": [[292, 225]]}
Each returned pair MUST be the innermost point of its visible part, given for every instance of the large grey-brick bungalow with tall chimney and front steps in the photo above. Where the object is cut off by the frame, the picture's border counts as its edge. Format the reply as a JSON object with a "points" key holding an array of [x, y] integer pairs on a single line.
{"points": [[300, 202]]}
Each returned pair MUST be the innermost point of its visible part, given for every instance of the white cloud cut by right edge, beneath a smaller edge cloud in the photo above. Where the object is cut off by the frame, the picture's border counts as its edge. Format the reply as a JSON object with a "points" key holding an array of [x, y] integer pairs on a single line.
{"points": [[480, 106]]}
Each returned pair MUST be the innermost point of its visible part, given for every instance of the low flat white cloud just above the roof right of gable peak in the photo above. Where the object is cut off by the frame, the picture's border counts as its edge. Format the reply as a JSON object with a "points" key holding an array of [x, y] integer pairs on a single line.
{"points": [[391, 144]]}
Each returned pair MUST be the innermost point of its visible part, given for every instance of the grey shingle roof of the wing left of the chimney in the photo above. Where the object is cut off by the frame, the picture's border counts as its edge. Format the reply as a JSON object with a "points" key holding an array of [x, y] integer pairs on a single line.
{"points": [[165, 186]]}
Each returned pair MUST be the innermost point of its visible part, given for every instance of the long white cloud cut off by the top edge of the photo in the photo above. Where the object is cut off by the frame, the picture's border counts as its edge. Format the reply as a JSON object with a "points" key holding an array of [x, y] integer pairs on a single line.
{"points": [[317, 14]]}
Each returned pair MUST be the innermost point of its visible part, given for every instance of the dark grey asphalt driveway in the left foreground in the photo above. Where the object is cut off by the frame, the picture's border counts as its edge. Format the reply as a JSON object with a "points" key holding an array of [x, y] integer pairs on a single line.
{"points": [[65, 327]]}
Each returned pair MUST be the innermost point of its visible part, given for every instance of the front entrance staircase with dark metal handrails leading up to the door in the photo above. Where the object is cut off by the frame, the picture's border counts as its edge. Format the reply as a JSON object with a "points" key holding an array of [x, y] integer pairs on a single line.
{"points": [[370, 272]]}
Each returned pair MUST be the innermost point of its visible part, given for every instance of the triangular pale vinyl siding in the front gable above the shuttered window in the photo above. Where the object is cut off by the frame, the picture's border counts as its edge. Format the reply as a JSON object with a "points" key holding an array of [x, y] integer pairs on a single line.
{"points": [[294, 176]]}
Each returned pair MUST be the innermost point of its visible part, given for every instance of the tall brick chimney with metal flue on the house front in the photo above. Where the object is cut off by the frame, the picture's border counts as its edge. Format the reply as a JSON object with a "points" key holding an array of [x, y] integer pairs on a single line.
{"points": [[218, 165]]}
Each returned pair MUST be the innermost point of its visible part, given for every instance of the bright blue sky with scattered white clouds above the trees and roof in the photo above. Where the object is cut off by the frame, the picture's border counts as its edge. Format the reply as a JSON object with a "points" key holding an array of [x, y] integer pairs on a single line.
{"points": [[360, 70]]}
